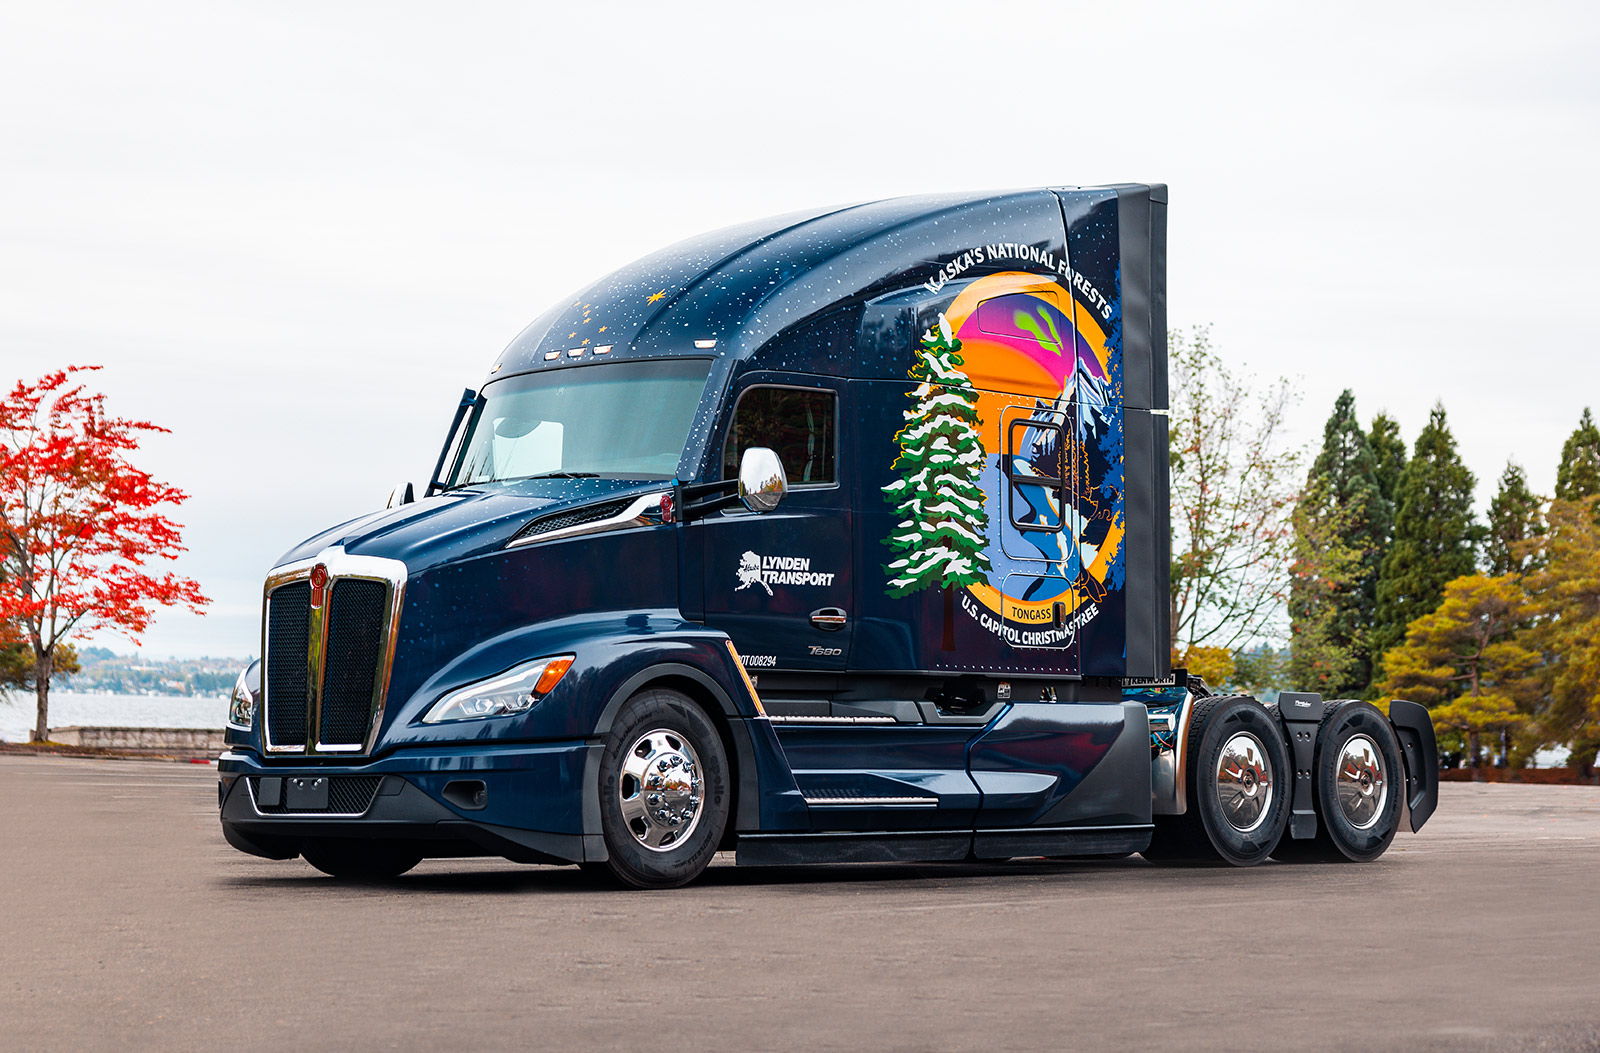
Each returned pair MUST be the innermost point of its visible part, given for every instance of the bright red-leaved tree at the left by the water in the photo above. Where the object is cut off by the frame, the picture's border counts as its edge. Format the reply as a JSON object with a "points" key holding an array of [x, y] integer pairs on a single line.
{"points": [[79, 526]]}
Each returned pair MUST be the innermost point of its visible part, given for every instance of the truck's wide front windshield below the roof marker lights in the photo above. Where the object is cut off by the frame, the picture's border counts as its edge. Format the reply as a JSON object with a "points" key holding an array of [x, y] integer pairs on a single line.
{"points": [[622, 420]]}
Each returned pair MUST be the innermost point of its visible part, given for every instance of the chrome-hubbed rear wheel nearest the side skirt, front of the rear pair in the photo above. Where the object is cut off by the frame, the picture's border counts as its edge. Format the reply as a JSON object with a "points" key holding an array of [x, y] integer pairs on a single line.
{"points": [[1238, 782]]}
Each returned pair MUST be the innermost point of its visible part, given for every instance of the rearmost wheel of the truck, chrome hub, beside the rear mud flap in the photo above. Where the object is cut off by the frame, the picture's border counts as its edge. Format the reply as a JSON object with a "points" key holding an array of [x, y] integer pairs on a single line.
{"points": [[1359, 780]]}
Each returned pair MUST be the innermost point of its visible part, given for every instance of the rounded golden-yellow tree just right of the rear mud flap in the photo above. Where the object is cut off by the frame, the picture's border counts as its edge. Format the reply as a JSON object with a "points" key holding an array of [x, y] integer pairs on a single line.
{"points": [[1466, 662]]}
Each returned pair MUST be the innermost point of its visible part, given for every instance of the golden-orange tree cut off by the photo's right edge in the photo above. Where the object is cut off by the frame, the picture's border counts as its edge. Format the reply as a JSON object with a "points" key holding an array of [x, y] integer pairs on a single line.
{"points": [[1566, 628]]}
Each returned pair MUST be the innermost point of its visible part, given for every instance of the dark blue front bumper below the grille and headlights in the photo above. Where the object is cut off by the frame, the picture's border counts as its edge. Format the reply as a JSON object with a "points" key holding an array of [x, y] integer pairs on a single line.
{"points": [[519, 801]]}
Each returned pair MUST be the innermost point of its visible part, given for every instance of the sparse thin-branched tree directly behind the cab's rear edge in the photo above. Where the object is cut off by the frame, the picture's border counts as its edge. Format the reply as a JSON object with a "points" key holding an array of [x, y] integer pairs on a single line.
{"points": [[1234, 487]]}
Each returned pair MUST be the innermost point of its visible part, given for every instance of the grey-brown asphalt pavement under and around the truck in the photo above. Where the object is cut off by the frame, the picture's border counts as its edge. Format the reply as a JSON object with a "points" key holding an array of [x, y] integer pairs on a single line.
{"points": [[127, 923]]}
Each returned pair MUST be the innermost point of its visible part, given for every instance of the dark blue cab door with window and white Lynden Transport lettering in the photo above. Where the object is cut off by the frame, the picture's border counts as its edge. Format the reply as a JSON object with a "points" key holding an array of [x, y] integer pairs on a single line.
{"points": [[780, 583]]}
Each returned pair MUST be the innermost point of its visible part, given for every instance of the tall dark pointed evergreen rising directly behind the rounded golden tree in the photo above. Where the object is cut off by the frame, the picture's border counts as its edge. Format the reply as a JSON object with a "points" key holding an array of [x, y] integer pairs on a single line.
{"points": [[1436, 535]]}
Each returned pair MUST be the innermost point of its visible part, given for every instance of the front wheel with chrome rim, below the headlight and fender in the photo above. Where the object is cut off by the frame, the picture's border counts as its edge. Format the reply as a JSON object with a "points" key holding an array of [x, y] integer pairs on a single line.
{"points": [[670, 841]]}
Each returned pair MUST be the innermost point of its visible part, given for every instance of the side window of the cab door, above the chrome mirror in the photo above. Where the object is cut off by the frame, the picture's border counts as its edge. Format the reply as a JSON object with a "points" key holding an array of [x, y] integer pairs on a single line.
{"points": [[796, 423]]}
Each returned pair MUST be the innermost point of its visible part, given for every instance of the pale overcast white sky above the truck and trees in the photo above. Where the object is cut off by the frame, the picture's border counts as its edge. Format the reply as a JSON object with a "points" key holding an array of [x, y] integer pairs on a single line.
{"points": [[294, 233]]}
